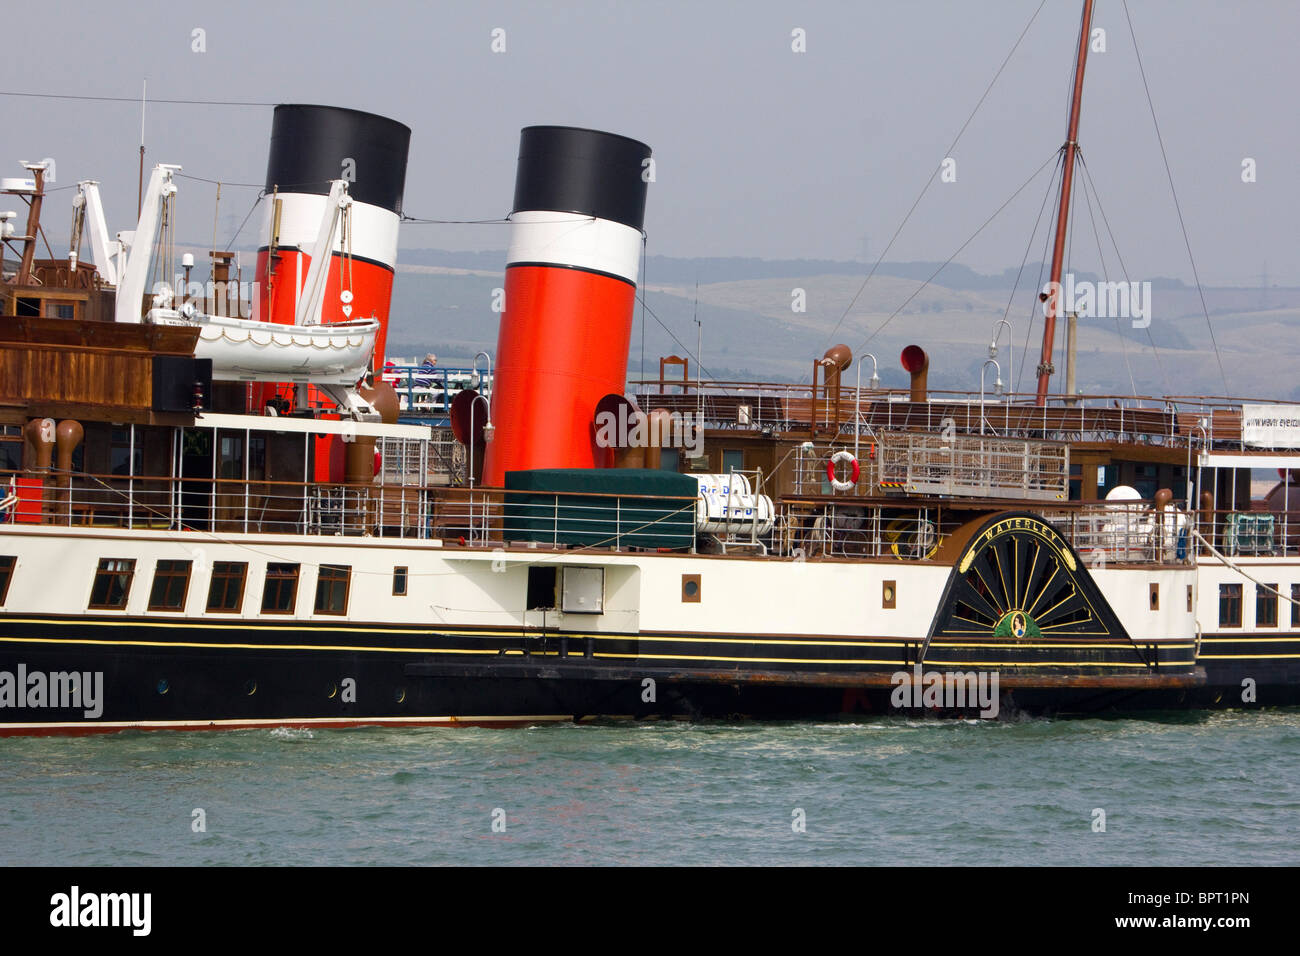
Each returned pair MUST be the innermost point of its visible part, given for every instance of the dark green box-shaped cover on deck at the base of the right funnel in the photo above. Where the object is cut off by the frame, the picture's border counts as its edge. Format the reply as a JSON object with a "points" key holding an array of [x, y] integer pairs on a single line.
{"points": [[603, 508]]}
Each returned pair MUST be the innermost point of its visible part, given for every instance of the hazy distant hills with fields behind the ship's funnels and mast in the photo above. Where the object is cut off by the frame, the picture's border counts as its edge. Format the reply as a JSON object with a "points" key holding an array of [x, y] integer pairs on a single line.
{"points": [[443, 302]]}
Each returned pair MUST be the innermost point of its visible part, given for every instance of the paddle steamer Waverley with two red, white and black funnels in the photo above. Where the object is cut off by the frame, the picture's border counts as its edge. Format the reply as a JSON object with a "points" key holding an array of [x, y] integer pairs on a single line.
{"points": [[216, 520]]}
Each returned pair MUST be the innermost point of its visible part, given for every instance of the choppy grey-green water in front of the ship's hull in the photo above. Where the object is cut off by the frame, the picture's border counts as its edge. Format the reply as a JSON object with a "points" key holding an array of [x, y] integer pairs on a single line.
{"points": [[1188, 790]]}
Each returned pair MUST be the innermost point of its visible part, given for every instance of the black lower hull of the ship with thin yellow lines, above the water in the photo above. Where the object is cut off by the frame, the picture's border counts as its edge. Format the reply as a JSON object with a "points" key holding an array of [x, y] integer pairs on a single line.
{"points": [[223, 677]]}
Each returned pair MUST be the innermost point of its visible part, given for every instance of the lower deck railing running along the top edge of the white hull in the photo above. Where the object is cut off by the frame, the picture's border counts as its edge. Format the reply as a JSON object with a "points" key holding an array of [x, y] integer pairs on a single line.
{"points": [[804, 527]]}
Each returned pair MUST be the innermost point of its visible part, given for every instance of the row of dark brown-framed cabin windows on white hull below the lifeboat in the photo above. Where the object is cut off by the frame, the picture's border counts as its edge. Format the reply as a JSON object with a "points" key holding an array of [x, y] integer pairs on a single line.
{"points": [[114, 577]]}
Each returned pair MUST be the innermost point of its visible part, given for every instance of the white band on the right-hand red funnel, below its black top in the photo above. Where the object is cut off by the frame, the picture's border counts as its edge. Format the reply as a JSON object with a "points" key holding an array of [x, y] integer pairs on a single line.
{"points": [[566, 239]]}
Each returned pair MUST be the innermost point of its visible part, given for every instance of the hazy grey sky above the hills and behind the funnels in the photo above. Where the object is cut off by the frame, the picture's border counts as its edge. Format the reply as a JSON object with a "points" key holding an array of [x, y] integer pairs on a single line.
{"points": [[761, 152]]}
